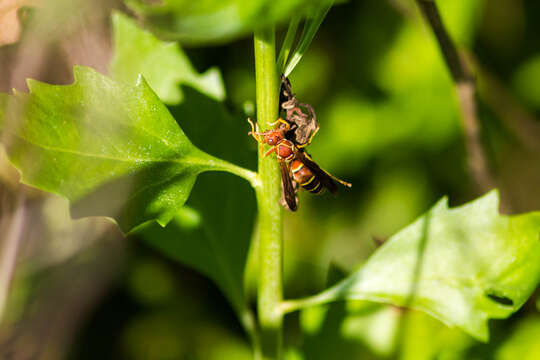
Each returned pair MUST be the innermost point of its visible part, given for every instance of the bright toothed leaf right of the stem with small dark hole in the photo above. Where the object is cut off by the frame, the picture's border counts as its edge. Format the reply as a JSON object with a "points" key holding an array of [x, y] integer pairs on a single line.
{"points": [[462, 266]]}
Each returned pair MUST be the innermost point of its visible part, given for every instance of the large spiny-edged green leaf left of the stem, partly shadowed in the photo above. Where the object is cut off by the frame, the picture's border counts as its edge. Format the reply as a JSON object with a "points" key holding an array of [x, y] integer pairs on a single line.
{"points": [[113, 149]]}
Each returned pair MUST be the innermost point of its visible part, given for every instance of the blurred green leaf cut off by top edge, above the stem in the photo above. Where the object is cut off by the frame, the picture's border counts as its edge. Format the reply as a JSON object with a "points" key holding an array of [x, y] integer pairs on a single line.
{"points": [[207, 21]]}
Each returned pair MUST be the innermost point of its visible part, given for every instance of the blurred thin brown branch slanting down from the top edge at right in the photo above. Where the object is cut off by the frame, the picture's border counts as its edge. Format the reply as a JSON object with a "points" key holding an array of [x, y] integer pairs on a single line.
{"points": [[466, 91]]}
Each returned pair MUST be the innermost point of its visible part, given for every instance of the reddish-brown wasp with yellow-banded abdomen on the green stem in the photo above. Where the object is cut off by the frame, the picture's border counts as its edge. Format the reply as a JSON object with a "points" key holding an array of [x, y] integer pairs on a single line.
{"points": [[296, 166]]}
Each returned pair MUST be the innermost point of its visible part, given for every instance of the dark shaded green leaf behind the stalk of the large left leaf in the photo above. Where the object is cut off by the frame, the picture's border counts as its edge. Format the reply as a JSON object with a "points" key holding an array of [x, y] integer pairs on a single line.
{"points": [[213, 234]]}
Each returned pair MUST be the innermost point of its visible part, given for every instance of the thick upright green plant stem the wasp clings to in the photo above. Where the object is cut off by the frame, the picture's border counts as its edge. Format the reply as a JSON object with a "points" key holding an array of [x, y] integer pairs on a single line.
{"points": [[270, 292]]}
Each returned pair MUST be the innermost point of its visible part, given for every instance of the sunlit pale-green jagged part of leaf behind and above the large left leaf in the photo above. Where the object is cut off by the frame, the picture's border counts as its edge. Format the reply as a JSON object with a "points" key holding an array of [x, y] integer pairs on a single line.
{"points": [[163, 64]]}
